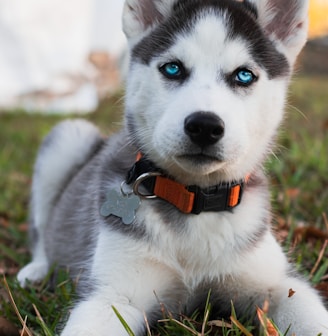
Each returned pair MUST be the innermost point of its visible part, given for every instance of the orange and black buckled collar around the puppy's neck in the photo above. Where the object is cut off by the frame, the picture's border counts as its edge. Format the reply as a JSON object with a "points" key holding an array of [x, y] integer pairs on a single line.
{"points": [[188, 199]]}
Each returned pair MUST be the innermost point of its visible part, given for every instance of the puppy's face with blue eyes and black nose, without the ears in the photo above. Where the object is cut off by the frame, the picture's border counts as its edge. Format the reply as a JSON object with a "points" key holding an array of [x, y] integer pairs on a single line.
{"points": [[205, 98]]}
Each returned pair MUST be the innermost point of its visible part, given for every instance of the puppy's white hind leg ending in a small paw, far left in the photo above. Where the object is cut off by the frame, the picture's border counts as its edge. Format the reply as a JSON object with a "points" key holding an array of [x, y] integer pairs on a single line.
{"points": [[63, 151]]}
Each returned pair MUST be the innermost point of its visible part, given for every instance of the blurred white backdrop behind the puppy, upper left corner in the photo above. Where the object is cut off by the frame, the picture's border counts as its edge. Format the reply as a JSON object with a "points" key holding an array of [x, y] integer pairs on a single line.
{"points": [[58, 55]]}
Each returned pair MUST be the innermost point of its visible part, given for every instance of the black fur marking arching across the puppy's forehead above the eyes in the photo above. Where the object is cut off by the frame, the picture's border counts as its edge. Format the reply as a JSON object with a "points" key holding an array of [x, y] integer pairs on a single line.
{"points": [[241, 19]]}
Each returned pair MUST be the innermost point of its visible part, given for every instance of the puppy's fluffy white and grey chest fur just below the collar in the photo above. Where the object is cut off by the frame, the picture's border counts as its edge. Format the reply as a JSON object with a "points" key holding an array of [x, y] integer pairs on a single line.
{"points": [[210, 243]]}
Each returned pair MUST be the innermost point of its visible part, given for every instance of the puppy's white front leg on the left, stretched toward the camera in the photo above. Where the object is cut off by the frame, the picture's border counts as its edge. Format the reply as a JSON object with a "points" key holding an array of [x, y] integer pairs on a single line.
{"points": [[131, 281]]}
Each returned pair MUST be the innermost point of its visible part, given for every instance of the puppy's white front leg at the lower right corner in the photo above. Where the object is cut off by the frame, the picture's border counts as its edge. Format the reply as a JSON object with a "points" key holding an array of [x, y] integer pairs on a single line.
{"points": [[267, 272]]}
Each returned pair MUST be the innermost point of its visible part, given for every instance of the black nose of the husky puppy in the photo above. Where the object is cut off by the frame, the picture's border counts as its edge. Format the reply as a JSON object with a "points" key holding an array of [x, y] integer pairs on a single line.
{"points": [[204, 128]]}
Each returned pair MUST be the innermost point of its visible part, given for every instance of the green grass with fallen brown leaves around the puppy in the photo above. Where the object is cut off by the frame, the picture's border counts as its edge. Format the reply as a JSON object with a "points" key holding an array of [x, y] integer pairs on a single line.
{"points": [[299, 175]]}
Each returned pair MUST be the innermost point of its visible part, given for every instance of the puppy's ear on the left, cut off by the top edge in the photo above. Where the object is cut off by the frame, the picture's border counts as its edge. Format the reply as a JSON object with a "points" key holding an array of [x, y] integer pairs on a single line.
{"points": [[139, 16]]}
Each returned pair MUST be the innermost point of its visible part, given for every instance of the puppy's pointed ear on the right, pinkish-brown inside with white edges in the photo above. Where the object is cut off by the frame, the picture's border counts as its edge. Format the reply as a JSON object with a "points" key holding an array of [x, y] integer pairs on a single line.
{"points": [[286, 23]]}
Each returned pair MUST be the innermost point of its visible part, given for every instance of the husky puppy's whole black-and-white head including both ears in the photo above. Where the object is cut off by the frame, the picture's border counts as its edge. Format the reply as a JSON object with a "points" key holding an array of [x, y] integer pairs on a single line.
{"points": [[207, 81]]}
